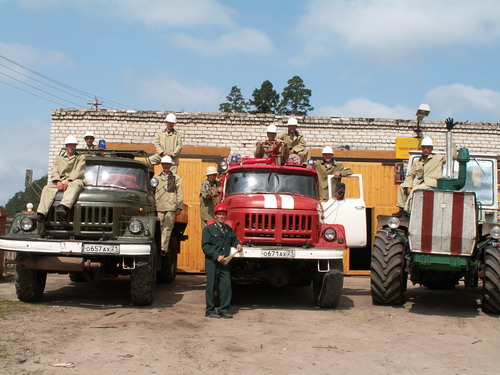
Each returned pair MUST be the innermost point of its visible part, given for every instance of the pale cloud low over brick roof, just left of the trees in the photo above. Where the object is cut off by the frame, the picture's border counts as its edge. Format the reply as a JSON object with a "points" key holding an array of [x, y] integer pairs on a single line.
{"points": [[170, 92]]}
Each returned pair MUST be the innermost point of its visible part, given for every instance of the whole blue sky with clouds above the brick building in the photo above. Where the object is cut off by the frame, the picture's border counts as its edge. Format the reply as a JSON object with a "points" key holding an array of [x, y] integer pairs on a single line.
{"points": [[360, 58]]}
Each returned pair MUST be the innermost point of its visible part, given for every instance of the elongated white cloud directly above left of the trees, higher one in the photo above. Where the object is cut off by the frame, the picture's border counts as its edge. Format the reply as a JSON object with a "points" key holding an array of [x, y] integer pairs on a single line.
{"points": [[241, 40]]}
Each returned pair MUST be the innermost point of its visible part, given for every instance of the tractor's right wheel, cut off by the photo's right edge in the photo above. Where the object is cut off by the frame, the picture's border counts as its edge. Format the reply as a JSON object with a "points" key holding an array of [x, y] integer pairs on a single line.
{"points": [[491, 281]]}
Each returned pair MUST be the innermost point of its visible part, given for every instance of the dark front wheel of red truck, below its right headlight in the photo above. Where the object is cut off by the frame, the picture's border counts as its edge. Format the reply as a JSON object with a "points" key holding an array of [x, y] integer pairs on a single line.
{"points": [[327, 286]]}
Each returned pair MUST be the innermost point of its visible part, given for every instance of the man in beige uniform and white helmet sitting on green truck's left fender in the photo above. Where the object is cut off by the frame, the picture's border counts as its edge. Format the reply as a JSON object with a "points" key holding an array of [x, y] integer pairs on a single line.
{"points": [[67, 176]]}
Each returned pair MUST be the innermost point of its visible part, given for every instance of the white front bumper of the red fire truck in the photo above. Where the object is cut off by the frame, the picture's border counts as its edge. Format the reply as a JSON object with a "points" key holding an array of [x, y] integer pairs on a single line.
{"points": [[274, 252]]}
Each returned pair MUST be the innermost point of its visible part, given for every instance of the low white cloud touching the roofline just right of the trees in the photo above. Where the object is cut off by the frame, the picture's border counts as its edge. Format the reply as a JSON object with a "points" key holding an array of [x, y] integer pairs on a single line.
{"points": [[364, 108]]}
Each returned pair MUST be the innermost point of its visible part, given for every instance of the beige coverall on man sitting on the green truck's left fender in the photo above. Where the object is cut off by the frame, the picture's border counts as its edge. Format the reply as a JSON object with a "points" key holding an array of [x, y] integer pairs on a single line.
{"points": [[65, 169]]}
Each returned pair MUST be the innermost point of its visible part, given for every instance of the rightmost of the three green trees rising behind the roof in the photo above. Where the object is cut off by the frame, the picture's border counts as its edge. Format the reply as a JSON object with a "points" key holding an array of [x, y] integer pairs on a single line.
{"points": [[295, 98]]}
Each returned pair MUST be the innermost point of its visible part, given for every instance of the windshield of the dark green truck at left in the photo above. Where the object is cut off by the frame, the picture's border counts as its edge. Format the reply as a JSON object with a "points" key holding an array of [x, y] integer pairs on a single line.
{"points": [[113, 176]]}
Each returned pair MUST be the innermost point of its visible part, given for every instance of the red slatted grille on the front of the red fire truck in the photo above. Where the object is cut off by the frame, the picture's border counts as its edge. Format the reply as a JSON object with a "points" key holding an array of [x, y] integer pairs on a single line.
{"points": [[272, 226]]}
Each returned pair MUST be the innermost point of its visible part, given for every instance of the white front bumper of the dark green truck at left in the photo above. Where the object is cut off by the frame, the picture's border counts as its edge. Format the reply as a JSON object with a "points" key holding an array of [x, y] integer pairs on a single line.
{"points": [[67, 247]]}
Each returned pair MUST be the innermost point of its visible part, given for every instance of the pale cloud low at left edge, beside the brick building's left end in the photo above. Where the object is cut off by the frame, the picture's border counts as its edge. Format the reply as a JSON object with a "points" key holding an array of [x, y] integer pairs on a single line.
{"points": [[32, 137]]}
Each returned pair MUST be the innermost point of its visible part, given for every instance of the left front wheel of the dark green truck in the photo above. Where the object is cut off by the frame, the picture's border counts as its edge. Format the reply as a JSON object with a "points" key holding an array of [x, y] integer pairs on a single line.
{"points": [[30, 284]]}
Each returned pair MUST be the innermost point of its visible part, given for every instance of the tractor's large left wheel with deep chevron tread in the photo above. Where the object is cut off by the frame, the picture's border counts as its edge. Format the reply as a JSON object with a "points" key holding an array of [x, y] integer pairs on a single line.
{"points": [[388, 278]]}
